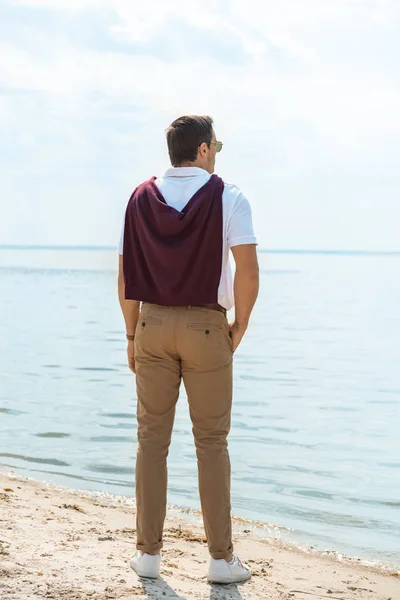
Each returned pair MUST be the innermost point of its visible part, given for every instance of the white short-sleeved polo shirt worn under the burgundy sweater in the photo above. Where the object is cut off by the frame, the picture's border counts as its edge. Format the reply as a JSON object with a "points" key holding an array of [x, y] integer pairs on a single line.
{"points": [[178, 185]]}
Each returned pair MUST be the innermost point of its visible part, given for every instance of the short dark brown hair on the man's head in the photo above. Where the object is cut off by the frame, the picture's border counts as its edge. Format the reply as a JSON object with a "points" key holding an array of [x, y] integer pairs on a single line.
{"points": [[185, 135]]}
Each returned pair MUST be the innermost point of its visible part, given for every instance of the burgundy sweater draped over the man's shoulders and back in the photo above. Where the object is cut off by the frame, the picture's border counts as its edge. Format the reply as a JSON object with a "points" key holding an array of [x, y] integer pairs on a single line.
{"points": [[173, 258]]}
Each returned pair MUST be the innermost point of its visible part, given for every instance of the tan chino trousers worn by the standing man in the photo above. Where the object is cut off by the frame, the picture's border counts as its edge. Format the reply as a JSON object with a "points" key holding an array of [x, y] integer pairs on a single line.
{"points": [[193, 344]]}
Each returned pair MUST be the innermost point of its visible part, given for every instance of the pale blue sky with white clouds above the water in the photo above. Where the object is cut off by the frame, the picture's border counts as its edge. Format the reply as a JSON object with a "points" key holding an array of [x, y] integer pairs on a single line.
{"points": [[305, 97]]}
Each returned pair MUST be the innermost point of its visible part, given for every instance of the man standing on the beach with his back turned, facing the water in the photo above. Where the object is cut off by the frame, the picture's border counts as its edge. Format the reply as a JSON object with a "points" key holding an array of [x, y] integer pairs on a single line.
{"points": [[174, 258]]}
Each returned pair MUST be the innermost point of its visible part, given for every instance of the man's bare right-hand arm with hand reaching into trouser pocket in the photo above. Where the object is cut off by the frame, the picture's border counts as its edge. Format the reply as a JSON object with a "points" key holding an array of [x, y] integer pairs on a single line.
{"points": [[246, 286]]}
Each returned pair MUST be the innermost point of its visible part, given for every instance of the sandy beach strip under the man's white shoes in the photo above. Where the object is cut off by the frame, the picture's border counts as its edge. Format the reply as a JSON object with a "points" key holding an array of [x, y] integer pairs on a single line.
{"points": [[61, 544]]}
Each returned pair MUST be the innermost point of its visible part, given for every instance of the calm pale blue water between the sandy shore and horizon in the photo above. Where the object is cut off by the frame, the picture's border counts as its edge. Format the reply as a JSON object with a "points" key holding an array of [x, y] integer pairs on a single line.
{"points": [[315, 438]]}
